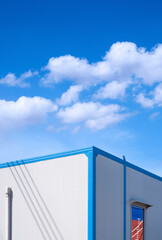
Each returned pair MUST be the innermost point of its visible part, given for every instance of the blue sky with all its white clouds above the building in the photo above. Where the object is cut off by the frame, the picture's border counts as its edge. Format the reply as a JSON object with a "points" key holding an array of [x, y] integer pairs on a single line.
{"points": [[79, 73]]}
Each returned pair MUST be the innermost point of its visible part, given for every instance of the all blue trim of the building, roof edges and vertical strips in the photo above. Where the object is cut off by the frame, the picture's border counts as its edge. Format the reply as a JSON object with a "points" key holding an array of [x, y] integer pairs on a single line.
{"points": [[91, 153]]}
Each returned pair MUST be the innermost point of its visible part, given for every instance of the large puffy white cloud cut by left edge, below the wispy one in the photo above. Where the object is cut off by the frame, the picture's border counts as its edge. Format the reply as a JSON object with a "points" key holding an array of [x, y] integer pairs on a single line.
{"points": [[25, 111]]}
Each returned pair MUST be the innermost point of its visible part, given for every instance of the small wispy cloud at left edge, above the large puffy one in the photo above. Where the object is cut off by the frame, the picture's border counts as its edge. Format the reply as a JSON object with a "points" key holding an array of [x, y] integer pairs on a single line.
{"points": [[12, 81]]}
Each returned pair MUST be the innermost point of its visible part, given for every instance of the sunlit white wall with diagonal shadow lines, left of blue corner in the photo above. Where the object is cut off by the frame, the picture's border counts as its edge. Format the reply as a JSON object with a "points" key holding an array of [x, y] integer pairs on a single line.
{"points": [[50, 199]]}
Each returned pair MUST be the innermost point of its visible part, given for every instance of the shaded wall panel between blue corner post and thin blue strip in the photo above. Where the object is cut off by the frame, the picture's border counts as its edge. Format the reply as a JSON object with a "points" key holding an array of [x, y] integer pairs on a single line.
{"points": [[109, 199]]}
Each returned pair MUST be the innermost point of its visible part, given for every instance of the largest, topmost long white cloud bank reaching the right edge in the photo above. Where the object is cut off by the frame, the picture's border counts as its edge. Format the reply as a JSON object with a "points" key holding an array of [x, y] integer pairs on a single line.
{"points": [[123, 62]]}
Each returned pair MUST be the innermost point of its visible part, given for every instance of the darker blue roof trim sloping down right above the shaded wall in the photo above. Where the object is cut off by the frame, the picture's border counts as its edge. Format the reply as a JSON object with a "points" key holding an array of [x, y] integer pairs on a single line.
{"points": [[130, 165]]}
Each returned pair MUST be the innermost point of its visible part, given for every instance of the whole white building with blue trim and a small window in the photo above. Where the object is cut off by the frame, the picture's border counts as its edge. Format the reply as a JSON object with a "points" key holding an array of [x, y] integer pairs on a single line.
{"points": [[86, 194]]}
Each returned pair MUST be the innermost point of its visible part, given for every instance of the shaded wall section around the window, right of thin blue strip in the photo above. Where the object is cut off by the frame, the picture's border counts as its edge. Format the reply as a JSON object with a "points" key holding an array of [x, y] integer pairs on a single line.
{"points": [[148, 190]]}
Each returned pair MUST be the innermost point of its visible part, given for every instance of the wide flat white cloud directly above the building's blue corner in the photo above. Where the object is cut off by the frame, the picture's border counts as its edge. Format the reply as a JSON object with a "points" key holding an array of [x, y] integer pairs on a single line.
{"points": [[94, 115]]}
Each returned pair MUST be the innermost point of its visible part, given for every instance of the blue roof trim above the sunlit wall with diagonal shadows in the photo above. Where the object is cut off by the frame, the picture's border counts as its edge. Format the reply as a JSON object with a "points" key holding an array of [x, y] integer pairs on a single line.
{"points": [[47, 157]]}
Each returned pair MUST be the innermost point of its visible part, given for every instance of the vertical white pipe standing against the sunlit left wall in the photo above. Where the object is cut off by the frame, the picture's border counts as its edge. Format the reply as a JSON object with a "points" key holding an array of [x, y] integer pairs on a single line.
{"points": [[8, 195]]}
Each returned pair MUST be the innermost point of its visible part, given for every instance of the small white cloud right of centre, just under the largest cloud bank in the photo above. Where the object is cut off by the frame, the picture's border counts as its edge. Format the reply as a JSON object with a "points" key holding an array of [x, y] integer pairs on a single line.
{"points": [[112, 90]]}
